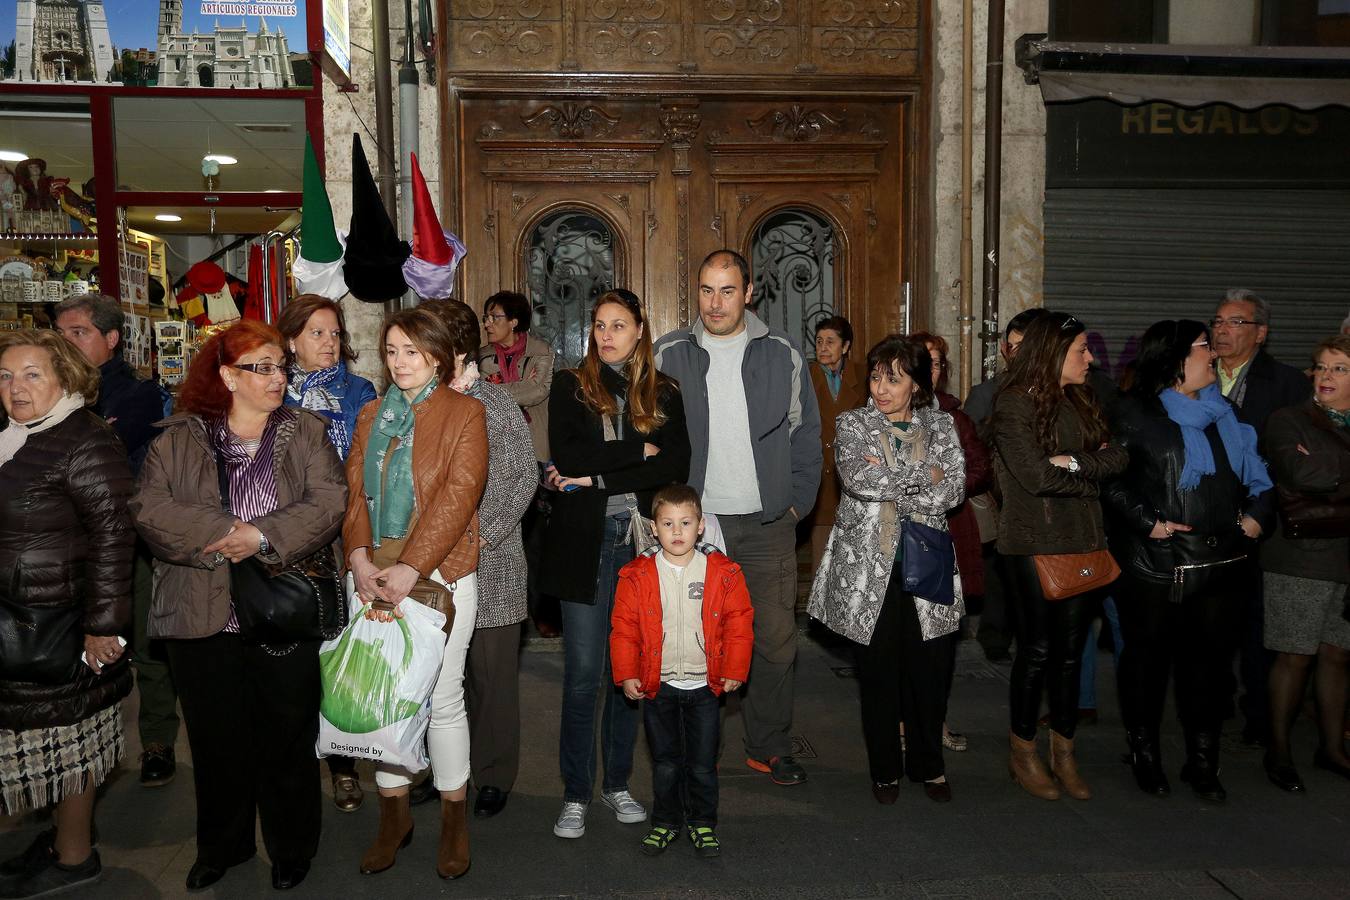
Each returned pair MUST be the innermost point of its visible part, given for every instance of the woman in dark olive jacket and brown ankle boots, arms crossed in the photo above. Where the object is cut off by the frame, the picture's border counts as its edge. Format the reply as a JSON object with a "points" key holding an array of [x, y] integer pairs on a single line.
{"points": [[1051, 458]]}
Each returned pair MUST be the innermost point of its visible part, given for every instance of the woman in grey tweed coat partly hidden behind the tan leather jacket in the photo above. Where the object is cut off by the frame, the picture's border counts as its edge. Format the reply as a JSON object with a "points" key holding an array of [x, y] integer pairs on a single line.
{"points": [[492, 682]]}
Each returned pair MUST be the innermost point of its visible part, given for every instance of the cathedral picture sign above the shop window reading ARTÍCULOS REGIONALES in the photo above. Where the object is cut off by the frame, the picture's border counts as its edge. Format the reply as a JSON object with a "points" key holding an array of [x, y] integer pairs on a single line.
{"points": [[168, 44]]}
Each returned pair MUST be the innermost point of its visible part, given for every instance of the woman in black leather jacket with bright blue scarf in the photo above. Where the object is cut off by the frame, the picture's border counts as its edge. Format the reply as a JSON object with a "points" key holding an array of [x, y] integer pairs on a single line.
{"points": [[1189, 508]]}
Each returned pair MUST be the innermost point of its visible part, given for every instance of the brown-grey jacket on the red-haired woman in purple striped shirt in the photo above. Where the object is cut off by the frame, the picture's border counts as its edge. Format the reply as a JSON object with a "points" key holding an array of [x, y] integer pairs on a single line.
{"points": [[178, 512]]}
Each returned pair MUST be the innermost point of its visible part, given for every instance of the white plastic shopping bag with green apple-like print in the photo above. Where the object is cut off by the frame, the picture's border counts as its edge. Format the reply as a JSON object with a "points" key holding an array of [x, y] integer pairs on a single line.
{"points": [[377, 679]]}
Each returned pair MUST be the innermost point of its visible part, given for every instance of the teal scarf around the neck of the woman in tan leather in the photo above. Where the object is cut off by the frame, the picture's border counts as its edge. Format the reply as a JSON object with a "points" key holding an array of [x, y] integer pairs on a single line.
{"points": [[389, 499]]}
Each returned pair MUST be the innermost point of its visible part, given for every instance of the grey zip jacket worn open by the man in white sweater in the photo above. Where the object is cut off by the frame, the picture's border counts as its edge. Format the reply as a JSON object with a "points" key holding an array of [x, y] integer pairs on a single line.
{"points": [[785, 419]]}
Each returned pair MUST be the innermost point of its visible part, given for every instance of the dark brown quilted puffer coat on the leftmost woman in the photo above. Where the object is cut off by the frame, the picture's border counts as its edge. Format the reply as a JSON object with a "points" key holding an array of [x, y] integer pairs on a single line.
{"points": [[67, 540]]}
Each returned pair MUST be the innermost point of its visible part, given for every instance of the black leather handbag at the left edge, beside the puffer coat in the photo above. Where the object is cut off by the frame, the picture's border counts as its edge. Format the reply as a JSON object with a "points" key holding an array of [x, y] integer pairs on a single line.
{"points": [[40, 644]]}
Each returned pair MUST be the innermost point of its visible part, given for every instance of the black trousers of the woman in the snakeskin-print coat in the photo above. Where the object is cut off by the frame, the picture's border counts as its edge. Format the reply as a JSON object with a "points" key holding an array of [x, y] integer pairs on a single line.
{"points": [[904, 678]]}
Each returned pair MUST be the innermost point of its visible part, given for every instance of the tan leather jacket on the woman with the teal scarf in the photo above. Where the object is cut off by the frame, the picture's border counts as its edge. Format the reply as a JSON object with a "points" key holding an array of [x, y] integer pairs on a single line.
{"points": [[450, 472]]}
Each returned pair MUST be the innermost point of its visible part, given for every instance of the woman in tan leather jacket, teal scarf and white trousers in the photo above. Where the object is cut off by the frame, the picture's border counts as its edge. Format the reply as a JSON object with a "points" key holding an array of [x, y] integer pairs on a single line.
{"points": [[412, 517]]}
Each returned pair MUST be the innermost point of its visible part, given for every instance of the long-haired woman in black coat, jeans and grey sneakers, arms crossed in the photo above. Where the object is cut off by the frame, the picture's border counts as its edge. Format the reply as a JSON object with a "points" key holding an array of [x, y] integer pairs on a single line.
{"points": [[616, 428]]}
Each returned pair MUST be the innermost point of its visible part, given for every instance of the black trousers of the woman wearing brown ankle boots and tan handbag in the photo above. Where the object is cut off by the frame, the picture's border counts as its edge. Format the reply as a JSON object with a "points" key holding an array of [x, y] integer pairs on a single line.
{"points": [[1050, 651]]}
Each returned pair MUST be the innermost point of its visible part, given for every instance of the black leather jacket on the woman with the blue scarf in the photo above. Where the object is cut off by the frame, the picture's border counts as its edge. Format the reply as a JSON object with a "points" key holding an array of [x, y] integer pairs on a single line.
{"points": [[1148, 492]]}
